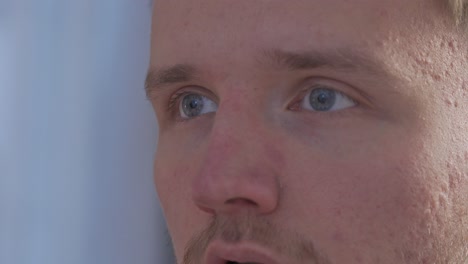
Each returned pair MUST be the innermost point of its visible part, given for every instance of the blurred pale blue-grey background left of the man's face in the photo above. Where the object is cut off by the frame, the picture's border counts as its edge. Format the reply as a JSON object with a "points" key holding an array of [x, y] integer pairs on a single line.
{"points": [[77, 136]]}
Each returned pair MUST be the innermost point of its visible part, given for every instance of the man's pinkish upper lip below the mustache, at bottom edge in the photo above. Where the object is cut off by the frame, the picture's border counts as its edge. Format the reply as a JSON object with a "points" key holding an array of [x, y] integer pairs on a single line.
{"points": [[219, 252]]}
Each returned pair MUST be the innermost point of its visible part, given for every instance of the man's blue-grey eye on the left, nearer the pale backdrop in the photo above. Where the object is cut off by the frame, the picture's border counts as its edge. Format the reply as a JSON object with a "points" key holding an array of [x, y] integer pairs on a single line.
{"points": [[193, 105]]}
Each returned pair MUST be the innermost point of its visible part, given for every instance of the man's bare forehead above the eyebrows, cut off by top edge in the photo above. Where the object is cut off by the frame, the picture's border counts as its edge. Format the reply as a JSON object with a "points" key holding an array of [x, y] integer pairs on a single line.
{"points": [[189, 30]]}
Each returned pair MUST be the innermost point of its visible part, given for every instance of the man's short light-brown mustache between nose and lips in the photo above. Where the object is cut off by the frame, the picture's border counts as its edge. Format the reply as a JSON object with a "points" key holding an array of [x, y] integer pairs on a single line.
{"points": [[256, 229]]}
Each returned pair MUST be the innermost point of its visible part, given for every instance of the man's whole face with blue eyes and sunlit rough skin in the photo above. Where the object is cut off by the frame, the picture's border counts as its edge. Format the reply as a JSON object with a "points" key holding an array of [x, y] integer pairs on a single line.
{"points": [[300, 131]]}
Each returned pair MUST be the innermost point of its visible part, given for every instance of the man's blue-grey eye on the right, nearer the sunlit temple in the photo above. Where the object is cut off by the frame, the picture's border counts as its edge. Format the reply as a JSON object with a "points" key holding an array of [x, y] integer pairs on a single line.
{"points": [[326, 100]]}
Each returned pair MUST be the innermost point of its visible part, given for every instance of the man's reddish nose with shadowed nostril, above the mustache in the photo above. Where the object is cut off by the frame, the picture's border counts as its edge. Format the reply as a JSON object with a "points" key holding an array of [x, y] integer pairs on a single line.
{"points": [[238, 174]]}
